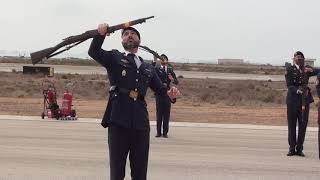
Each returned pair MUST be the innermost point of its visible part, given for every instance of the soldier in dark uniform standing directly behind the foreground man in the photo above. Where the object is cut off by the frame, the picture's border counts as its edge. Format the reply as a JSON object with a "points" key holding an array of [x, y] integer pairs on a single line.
{"points": [[163, 102]]}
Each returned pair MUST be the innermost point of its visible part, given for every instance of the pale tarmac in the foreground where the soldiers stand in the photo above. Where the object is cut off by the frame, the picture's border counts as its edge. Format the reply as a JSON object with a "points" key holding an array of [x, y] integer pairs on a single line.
{"points": [[36, 149]]}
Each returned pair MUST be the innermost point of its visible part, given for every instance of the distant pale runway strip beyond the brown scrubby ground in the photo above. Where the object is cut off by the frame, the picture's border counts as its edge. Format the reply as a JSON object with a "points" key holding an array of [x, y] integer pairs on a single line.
{"points": [[64, 69]]}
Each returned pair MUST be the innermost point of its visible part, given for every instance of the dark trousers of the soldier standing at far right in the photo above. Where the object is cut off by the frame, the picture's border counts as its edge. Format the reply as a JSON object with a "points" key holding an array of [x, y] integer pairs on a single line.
{"points": [[294, 115]]}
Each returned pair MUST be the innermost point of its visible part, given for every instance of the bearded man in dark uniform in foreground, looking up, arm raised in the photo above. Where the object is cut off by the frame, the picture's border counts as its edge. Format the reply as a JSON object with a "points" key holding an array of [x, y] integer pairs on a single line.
{"points": [[126, 115]]}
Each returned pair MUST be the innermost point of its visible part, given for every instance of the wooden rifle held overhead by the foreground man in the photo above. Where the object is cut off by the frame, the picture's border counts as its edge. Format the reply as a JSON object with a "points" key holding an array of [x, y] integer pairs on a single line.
{"points": [[72, 41]]}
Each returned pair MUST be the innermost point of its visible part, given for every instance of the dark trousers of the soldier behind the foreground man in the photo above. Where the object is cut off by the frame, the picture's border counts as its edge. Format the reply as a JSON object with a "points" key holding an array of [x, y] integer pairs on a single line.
{"points": [[163, 108]]}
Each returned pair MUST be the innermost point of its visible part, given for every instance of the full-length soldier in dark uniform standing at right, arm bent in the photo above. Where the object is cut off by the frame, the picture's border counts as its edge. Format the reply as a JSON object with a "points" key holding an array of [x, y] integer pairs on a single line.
{"points": [[298, 102]]}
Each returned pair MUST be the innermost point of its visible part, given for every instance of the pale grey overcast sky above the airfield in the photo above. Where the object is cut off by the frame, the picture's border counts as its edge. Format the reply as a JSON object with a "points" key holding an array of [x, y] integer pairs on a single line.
{"points": [[259, 31]]}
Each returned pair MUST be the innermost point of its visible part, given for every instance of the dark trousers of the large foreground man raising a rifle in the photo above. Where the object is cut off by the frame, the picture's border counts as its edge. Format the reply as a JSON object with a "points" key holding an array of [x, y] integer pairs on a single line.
{"points": [[123, 141]]}
